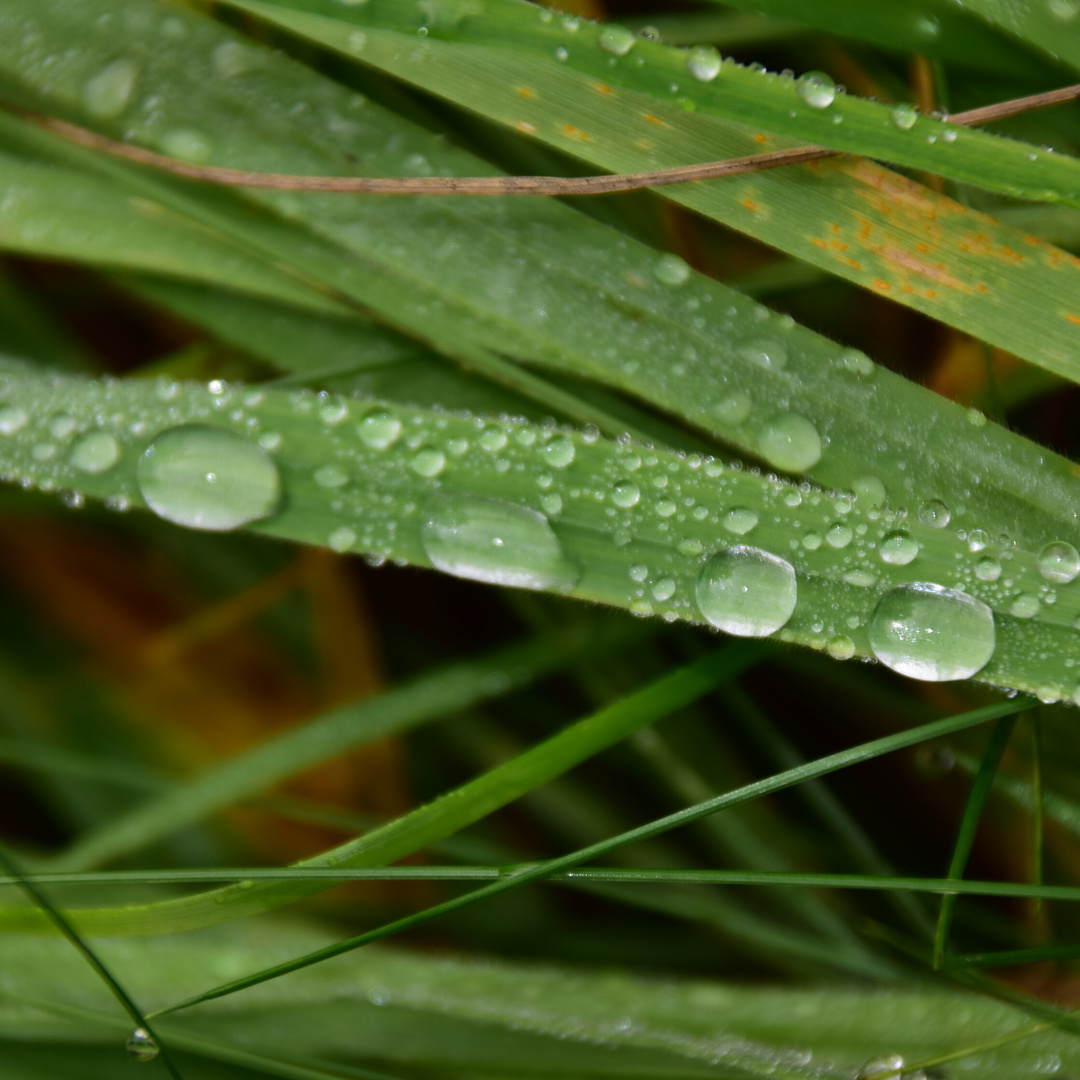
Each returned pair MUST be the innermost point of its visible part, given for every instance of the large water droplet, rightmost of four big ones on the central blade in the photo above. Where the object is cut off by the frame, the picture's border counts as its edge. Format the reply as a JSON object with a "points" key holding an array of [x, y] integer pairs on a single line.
{"points": [[933, 633]]}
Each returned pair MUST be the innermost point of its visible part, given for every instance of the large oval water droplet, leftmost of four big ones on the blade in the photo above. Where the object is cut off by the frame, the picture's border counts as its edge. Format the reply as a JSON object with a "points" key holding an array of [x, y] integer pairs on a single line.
{"points": [[208, 479]]}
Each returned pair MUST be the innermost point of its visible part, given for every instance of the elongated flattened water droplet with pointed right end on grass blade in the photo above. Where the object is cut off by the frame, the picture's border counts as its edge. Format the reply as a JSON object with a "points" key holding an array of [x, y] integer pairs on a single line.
{"points": [[496, 543]]}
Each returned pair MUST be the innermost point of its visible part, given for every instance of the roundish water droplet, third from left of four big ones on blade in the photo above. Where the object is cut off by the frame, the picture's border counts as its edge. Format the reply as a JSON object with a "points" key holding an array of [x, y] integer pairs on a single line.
{"points": [[747, 592]]}
